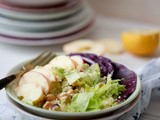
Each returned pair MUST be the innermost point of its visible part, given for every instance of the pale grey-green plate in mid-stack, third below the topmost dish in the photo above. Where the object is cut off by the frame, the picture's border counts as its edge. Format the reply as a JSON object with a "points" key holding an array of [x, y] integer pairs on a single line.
{"points": [[43, 25]]}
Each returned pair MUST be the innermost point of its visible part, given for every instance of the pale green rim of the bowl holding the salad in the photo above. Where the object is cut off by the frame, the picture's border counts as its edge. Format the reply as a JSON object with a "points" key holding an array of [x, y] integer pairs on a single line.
{"points": [[12, 95]]}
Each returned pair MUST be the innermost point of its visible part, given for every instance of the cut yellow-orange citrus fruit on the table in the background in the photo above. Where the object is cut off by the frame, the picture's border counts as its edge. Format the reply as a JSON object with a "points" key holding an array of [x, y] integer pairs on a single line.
{"points": [[140, 42]]}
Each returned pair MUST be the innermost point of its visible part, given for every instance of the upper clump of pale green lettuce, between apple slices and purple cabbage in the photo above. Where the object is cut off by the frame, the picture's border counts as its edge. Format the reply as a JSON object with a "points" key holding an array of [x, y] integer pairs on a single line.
{"points": [[89, 75]]}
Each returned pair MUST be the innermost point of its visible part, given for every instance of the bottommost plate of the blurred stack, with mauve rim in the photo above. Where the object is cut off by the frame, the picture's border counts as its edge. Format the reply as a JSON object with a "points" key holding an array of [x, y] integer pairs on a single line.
{"points": [[75, 36]]}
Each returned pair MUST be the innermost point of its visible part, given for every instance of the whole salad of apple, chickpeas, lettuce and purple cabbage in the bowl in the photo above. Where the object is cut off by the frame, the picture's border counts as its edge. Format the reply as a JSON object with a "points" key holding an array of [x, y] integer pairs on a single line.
{"points": [[76, 83]]}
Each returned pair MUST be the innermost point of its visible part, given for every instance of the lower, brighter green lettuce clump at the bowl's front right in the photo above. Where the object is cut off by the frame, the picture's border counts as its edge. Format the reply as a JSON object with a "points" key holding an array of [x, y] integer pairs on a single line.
{"points": [[97, 97]]}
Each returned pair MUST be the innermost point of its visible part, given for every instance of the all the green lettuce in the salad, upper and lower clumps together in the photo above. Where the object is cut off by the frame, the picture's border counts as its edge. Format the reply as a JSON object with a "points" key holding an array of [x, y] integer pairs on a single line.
{"points": [[98, 93]]}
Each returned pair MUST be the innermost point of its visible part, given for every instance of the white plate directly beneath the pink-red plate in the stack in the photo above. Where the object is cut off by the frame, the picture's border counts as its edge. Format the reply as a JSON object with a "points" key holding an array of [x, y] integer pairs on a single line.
{"points": [[41, 16]]}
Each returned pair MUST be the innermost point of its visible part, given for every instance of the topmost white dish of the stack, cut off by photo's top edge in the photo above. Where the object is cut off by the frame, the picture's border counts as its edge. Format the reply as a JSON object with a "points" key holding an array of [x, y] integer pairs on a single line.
{"points": [[36, 3]]}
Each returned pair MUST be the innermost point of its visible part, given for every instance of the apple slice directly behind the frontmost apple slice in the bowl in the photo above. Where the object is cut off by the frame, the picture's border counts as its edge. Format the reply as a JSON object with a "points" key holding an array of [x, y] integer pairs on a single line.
{"points": [[36, 78]]}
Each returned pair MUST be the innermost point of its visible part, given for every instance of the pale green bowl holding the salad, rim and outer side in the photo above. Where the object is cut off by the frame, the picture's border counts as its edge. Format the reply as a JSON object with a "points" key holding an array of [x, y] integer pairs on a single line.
{"points": [[68, 115]]}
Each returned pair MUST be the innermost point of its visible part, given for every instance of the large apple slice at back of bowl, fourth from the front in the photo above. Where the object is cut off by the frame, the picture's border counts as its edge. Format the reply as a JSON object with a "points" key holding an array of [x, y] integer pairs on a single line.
{"points": [[62, 61]]}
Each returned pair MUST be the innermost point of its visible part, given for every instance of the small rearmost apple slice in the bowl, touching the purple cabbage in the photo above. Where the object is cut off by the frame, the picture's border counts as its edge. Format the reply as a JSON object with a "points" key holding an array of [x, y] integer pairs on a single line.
{"points": [[78, 61]]}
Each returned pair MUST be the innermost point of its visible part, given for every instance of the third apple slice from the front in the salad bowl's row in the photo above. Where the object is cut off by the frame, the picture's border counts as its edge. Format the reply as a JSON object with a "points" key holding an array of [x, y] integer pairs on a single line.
{"points": [[46, 72]]}
